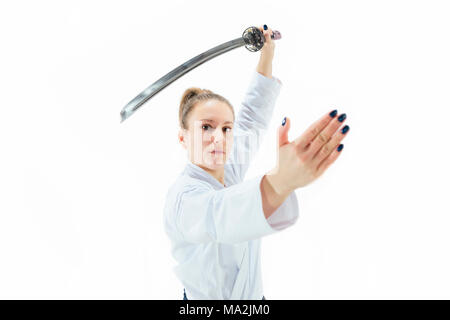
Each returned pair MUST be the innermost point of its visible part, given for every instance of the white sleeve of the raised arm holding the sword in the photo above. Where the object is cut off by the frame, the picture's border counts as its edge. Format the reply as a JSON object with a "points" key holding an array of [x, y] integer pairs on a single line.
{"points": [[252, 120]]}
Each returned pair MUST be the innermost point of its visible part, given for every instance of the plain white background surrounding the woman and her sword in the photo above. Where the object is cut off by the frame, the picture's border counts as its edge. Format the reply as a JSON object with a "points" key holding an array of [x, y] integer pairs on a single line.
{"points": [[81, 194]]}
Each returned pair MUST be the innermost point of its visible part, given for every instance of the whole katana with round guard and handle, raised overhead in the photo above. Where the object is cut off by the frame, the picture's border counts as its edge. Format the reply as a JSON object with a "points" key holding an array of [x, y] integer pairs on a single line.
{"points": [[253, 39]]}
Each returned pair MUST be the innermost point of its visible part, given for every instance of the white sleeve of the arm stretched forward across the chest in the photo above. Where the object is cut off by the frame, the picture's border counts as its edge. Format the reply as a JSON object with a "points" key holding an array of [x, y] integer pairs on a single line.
{"points": [[230, 215]]}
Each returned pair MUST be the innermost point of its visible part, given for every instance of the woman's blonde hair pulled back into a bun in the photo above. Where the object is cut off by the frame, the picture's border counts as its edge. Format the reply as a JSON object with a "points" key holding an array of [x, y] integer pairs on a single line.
{"points": [[190, 98]]}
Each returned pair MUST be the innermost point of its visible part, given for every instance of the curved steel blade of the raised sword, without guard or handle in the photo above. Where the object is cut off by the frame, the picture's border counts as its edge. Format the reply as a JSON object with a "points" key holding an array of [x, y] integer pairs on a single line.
{"points": [[176, 73]]}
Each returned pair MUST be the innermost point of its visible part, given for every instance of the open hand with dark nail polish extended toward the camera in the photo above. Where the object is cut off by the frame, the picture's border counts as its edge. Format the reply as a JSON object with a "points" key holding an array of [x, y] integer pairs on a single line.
{"points": [[306, 158]]}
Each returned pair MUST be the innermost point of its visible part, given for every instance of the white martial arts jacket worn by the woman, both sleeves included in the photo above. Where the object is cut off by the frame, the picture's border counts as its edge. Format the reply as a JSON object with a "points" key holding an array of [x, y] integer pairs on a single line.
{"points": [[215, 230]]}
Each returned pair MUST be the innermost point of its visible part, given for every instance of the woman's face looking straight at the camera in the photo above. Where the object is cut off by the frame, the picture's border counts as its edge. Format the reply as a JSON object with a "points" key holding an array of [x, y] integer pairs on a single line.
{"points": [[209, 137]]}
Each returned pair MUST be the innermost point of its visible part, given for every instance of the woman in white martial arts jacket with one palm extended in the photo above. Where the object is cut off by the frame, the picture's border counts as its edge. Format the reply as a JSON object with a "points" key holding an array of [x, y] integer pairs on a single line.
{"points": [[213, 218]]}
